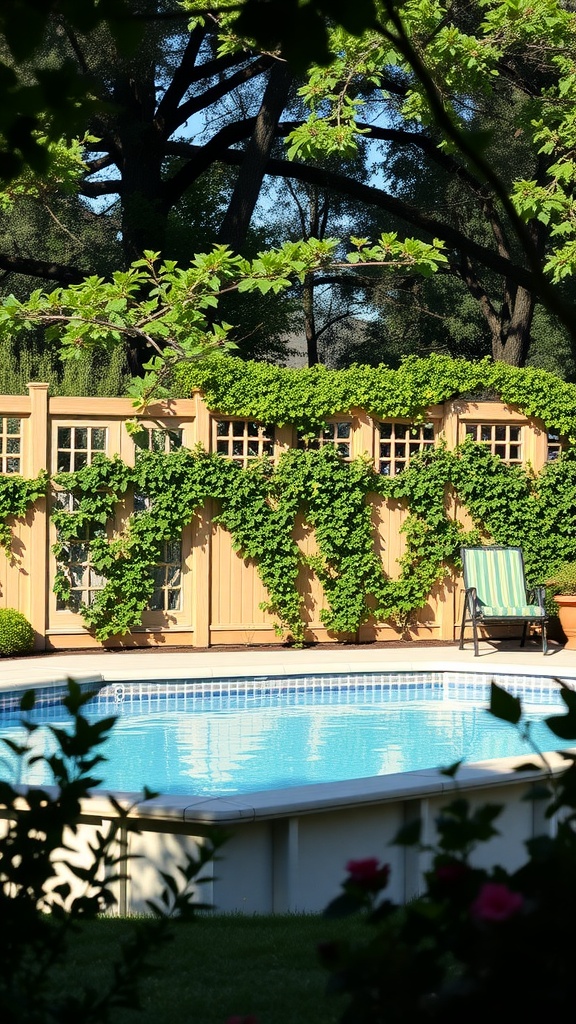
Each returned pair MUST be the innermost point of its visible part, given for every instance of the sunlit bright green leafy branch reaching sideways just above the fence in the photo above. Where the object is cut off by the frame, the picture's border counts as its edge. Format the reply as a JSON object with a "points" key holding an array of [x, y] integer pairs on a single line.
{"points": [[171, 312]]}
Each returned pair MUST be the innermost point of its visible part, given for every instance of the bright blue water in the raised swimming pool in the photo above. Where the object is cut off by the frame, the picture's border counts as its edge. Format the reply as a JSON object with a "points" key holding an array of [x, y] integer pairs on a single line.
{"points": [[223, 738]]}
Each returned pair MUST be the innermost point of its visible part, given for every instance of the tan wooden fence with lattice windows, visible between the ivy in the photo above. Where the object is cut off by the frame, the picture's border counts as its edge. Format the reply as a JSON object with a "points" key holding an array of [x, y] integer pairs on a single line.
{"points": [[207, 594]]}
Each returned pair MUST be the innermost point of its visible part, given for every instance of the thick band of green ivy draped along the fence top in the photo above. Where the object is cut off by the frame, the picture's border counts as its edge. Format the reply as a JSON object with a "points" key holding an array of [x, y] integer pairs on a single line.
{"points": [[308, 398]]}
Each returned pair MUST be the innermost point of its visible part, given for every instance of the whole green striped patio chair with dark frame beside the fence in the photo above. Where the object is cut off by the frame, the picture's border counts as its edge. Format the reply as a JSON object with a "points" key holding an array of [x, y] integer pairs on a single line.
{"points": [[497, 592]]}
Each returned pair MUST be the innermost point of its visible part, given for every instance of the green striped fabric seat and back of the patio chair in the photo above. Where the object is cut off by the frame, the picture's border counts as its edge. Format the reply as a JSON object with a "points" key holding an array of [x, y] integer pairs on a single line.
{"points": [[498, 575]]}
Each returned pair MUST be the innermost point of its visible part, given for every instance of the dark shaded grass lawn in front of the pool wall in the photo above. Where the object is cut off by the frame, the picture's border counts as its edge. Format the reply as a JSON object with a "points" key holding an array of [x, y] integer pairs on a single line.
{"points": [[218, 967]]}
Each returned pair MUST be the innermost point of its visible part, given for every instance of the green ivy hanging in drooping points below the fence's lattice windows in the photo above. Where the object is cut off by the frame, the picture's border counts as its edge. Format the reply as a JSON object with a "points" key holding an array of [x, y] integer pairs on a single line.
{"points": [[260, 506]]}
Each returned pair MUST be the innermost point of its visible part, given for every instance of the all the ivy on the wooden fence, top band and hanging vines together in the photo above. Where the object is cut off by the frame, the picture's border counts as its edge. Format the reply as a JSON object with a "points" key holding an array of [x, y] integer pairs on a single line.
{"points": [[261, 505]]}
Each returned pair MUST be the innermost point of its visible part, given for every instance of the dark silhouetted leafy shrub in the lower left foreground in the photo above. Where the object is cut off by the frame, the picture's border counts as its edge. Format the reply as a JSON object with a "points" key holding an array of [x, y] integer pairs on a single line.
{"points": [[47, 892]]}
